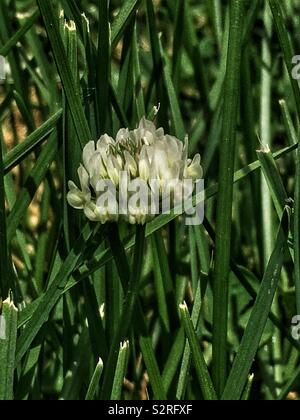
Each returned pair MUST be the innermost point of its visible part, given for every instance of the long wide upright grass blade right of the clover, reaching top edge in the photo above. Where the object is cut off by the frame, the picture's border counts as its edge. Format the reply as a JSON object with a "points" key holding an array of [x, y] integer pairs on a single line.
{"points": [[225, 195]]}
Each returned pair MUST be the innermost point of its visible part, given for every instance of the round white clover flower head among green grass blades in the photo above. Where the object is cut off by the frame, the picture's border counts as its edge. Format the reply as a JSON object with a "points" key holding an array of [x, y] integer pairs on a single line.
{"points": [[144, 155]]}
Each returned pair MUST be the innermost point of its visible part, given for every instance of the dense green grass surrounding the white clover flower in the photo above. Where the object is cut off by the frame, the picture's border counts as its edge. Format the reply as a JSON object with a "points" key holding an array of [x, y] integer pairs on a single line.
{"points": [[165, 311]]}
